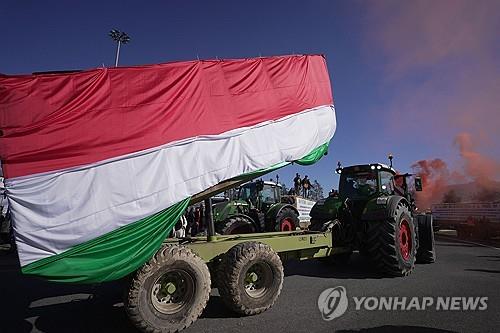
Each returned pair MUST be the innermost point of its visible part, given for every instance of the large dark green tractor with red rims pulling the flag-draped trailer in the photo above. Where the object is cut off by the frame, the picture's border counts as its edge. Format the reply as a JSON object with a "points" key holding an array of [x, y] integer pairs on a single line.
{"points": [[374, 212]]}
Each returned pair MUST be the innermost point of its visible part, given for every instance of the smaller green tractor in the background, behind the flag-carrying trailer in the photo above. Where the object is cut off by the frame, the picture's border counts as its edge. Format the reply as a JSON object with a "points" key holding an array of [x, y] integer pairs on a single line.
{"points": [[258, 207]]}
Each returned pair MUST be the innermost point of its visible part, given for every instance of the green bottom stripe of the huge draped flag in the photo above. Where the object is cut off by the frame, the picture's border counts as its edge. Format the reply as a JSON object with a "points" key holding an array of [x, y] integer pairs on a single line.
{"points": [[122, 251]]}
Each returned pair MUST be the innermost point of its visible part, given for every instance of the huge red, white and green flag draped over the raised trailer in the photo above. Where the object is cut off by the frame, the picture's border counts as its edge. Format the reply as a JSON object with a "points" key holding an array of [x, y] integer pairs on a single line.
{"points": [[100, 164]]}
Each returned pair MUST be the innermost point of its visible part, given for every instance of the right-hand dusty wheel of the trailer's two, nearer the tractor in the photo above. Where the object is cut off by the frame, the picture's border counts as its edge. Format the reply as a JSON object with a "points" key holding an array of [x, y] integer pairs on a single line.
{"points": [[250, 278]]}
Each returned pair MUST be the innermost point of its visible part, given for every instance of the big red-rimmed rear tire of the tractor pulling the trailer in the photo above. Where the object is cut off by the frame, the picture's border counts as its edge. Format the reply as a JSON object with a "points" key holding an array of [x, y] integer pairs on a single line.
{"points": [[392, 244]]}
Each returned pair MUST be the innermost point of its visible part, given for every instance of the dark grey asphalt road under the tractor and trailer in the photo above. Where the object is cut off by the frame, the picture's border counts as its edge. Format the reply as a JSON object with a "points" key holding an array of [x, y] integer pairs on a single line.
{"points": [[33, 305]]}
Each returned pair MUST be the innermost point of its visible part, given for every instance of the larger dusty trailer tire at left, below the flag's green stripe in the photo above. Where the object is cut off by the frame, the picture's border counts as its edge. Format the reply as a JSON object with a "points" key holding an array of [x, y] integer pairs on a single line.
{"points": [[154, 306]]}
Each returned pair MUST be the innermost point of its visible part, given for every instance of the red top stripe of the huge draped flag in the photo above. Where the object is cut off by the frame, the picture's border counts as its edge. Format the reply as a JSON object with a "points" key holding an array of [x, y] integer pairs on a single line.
{"points": [[51, 122]]}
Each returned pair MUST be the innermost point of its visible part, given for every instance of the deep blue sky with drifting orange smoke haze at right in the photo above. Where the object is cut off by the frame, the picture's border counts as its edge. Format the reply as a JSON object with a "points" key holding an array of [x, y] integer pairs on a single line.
{"points": [[407, 76]]}
